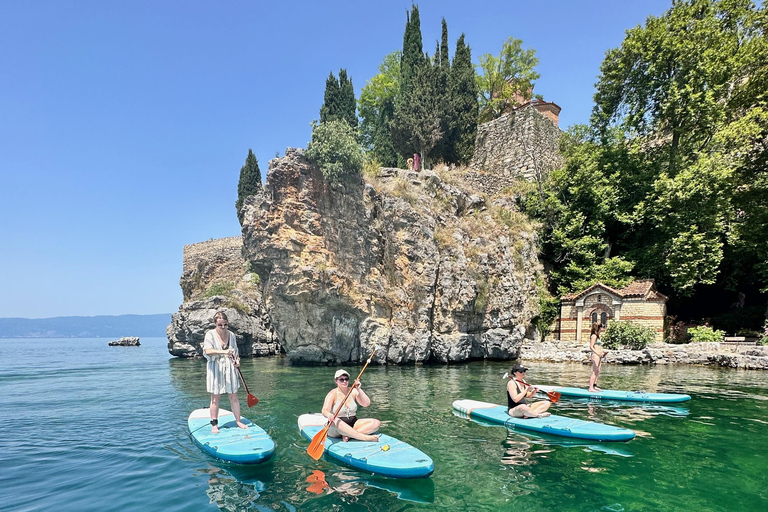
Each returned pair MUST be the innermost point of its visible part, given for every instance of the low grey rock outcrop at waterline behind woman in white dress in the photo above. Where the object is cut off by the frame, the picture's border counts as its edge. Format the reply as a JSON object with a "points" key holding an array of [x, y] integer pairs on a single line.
{"points": [[247, 321]]}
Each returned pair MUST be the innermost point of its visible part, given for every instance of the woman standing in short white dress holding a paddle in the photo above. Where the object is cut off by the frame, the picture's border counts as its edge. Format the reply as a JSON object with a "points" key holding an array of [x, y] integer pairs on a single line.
{"points": [[220, 349]]}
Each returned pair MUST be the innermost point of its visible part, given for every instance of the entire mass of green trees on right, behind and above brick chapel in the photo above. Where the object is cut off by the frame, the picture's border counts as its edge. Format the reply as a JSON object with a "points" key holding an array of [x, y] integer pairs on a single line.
{"points": [[670, 180]]}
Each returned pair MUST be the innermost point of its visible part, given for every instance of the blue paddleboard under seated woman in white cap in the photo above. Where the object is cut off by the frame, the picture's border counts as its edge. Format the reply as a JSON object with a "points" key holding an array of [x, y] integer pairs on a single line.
{"points": [[387, 457]]}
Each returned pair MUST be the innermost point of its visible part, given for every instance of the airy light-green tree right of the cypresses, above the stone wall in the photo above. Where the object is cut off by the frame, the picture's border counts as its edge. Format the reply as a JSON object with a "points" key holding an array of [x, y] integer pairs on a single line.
{"points": [[502, 81]]}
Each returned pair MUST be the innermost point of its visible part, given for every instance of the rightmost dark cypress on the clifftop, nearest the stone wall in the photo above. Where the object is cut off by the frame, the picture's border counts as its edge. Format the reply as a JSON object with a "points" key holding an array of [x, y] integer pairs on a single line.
{"points": [[464, 105]]}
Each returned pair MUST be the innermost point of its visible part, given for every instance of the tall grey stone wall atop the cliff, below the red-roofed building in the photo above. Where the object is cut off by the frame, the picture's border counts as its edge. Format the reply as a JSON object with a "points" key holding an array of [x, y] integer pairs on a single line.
{"points": [[520, 144]]}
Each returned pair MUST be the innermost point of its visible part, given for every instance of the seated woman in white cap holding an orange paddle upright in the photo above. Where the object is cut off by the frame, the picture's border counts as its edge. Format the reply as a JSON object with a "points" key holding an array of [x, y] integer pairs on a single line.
{"points": [[347, 424]]}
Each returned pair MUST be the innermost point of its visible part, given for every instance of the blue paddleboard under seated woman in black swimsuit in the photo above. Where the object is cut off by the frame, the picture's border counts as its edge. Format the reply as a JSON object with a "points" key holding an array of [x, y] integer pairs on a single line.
{"points": [[553, 424]]}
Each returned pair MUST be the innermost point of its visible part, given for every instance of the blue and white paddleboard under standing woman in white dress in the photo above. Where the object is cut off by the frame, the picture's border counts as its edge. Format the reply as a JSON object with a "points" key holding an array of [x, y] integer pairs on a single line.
{"points": [[232, 444]]}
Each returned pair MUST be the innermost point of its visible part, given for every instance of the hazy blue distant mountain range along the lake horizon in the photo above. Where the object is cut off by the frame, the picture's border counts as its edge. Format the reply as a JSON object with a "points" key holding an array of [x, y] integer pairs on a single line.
{"points": [[85, 326]]}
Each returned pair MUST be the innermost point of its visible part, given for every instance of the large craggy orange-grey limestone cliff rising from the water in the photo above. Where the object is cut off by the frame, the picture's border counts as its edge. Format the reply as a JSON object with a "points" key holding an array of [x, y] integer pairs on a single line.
{"points": [[405, 261]]}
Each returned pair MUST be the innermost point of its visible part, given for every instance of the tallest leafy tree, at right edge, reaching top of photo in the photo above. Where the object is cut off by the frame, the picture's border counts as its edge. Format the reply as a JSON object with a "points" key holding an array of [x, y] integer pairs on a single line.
{"points": [[689, 90]]}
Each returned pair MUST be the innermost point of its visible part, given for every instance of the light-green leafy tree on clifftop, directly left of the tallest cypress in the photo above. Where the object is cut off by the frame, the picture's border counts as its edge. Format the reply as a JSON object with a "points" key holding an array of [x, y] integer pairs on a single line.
{"points": [[376, 106]]}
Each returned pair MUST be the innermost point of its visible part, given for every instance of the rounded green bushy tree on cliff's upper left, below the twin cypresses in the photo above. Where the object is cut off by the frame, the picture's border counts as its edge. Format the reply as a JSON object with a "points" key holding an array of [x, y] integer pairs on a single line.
{"points": [[334, 148]]}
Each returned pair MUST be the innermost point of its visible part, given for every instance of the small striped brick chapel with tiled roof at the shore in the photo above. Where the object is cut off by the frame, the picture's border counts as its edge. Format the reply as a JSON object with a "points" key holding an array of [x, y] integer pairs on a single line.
{"points": [[638, 302]]}
